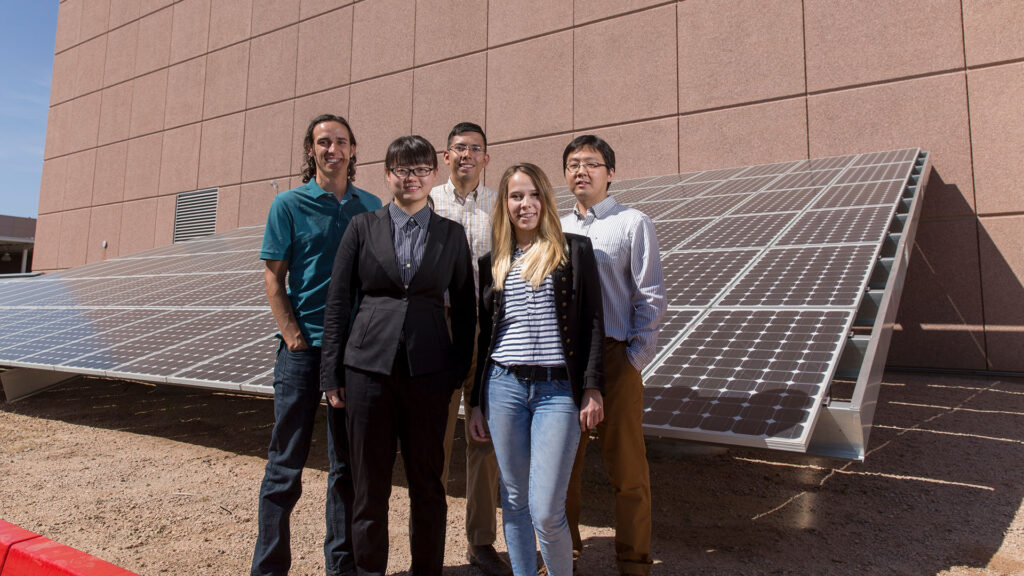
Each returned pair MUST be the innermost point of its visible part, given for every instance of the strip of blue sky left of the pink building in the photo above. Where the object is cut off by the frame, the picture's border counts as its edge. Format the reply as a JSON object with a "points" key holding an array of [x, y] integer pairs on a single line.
{"points": [[28, 31]]}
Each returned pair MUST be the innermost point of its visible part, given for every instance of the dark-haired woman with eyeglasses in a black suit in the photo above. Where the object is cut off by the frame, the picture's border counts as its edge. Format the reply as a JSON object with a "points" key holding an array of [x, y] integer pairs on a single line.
{"points": [[389, 357]]}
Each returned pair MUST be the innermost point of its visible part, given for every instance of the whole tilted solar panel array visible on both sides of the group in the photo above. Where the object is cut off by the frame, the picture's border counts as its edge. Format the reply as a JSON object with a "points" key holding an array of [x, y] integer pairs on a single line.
{"points": [[765, 269]]}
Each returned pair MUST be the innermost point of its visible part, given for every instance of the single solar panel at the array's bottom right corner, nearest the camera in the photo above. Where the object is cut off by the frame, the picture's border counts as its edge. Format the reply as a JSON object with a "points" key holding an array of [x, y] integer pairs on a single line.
{"points": [[720, 394]]}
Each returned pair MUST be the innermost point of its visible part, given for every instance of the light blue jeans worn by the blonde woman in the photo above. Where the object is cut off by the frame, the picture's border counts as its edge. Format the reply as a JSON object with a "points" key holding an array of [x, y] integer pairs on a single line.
{"points": [[535, 427]]}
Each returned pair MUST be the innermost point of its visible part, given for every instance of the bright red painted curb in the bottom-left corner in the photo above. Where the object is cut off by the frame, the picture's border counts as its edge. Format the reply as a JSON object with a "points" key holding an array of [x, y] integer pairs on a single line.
{"points": [[27, 554]]}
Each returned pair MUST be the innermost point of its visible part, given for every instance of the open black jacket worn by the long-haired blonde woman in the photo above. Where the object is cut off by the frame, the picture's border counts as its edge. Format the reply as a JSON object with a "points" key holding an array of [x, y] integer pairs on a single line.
{"points": [[581, 319]]}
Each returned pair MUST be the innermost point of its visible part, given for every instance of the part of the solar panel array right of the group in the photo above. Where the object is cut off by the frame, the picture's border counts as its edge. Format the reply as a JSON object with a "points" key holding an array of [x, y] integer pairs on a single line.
{"points": [[765, 269]]}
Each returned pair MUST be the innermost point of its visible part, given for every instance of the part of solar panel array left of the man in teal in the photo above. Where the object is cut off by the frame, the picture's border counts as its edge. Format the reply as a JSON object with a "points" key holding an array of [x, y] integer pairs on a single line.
{"points": [[192, 314]]}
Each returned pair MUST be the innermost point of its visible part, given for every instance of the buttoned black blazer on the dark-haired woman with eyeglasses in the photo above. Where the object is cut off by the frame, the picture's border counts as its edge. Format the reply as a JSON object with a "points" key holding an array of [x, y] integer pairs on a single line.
{"points": [[366, 283]]}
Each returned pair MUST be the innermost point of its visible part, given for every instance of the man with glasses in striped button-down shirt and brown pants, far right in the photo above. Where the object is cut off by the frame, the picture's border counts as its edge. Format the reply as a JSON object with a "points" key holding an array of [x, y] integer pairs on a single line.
{"points": [[634, 303]]}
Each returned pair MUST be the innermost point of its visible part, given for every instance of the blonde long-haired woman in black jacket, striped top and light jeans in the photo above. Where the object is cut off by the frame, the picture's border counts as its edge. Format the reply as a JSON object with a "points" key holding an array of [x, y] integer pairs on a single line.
{"points": [[541, 365]]}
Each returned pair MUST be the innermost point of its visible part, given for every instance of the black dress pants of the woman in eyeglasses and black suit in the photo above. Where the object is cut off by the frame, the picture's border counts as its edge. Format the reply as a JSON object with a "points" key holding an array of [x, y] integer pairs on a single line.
{"points": [[386, 410]]}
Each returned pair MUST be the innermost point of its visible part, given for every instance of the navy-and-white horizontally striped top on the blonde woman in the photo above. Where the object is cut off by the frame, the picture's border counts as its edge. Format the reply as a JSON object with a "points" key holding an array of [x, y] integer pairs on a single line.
{"points": [[528, 335]]}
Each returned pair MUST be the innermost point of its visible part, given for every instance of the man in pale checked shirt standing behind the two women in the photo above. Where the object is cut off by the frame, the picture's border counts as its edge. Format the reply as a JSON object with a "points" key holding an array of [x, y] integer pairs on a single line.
{"points": [[464, 199]]}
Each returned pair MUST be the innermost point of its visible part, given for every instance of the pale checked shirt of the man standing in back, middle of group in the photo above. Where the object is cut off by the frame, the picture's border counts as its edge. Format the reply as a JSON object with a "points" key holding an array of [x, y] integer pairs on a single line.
{"points": [[474, 214]]}
